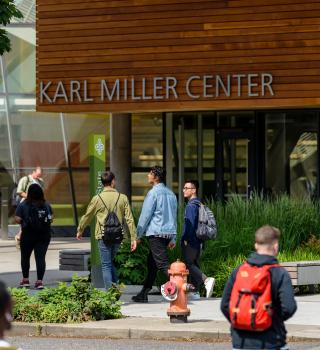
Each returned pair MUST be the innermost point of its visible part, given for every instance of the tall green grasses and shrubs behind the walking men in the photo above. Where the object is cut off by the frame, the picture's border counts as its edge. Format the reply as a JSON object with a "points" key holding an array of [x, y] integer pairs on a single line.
{"points": [[238, 219]]}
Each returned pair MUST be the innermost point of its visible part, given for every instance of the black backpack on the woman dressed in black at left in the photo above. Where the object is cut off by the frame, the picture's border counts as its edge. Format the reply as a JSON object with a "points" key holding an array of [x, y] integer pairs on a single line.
{"points": [[39, 218]]}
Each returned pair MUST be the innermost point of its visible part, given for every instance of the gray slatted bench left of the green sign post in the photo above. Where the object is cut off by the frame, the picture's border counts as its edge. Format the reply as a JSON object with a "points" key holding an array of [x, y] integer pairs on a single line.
{"points": [[74, 259]]}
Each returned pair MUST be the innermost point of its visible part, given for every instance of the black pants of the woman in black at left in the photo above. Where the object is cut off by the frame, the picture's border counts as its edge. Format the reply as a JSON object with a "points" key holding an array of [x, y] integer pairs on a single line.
{"points": [[40, 247]]}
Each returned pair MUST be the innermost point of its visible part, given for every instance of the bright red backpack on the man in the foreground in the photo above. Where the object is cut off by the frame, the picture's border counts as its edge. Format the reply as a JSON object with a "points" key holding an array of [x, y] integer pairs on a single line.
{"points": [[250, 306]]}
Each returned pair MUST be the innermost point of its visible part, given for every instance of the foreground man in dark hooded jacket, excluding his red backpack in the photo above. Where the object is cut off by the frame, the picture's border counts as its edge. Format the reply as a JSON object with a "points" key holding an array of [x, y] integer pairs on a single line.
{"points": [[283, 302]]}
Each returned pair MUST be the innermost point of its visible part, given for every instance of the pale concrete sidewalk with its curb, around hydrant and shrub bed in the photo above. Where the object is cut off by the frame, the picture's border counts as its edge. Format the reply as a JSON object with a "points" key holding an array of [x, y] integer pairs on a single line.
{"points": [[144, 321]]}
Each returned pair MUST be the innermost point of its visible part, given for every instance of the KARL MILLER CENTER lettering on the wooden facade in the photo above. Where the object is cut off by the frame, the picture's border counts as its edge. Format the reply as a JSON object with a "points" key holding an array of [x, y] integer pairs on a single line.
{"points": [[157, 88]]}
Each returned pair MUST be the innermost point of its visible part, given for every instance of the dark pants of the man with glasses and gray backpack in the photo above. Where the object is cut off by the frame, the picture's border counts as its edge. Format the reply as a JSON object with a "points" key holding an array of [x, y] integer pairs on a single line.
{"points": [[191, 257]]}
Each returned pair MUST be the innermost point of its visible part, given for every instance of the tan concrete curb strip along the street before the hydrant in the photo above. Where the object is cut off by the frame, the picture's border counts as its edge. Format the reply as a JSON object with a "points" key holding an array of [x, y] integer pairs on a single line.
{"points": [[142, 328]]}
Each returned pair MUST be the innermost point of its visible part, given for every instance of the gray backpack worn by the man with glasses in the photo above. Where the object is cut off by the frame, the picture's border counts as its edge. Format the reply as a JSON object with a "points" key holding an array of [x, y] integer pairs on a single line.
{"points": [[207, 226]]}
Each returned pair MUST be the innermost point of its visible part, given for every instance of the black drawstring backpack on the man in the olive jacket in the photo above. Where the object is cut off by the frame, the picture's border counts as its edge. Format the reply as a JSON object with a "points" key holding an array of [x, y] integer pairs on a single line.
{"points": [[112, 230]]}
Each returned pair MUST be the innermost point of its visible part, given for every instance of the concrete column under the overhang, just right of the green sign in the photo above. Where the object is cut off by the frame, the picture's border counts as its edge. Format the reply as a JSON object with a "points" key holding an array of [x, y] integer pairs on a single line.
{"points": [[120, 151]]}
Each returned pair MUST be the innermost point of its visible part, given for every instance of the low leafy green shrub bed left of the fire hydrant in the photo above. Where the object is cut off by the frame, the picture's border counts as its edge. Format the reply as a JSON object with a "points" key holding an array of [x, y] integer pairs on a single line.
{"points": [[75, 303]]}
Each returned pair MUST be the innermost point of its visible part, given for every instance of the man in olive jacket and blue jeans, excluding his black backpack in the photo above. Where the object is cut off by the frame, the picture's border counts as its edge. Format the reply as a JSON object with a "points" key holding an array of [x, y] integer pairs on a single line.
{"points": [[100, 205]]}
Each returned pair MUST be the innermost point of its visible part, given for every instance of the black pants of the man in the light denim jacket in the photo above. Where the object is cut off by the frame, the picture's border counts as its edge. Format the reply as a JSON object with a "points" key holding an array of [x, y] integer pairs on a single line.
{"points": [[157, 259]]}
